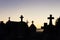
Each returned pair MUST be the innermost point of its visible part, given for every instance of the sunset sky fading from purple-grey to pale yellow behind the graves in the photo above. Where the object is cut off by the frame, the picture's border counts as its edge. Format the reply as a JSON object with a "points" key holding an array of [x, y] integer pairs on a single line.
{"points": [[37, 10]]}
